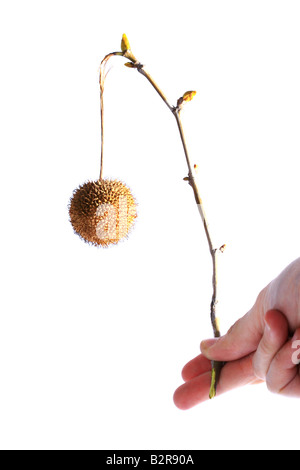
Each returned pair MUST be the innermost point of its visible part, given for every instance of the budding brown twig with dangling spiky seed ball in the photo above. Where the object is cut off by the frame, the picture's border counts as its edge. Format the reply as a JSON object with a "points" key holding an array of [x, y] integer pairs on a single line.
{"points": [[103, 212]]}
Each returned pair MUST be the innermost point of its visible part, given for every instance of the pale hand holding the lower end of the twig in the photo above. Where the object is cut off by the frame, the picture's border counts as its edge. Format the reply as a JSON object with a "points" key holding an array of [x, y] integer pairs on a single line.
{"points": [[259, 347]]}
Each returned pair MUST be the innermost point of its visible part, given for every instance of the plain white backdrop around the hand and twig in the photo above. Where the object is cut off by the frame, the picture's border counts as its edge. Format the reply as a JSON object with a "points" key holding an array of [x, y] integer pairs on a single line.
{"points": [[92, 341]]}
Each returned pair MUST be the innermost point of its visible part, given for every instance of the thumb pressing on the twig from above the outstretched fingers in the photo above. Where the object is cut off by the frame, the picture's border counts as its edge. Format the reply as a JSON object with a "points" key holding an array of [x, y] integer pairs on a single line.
{"points": [[241, 340]]}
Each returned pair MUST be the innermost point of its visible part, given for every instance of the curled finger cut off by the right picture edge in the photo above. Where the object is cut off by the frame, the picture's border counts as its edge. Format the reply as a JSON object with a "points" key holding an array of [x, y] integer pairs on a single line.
{"points": [[283, 376]]}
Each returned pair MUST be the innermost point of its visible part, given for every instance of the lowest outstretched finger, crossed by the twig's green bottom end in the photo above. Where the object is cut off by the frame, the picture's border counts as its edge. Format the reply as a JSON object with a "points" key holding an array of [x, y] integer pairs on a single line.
{"points": [[234, 374]]}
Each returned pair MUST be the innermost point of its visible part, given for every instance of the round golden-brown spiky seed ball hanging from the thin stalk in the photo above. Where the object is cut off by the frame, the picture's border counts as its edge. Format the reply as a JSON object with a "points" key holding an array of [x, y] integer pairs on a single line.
{"points": [[102, 212]]}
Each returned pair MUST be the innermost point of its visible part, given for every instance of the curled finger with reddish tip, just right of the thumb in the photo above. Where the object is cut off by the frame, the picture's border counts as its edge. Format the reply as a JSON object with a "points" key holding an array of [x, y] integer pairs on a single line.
{"points": [[274, 337]]}
